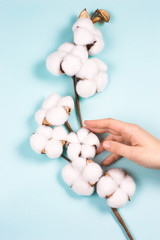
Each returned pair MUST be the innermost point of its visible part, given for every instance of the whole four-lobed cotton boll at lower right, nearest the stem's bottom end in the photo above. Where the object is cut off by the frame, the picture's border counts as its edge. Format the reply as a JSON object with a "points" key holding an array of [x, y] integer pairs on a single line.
{"points": [[117, 187]]}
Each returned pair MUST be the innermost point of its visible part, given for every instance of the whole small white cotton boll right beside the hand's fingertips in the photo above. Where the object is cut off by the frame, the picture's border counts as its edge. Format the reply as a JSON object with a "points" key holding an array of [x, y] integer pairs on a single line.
{"points": [[82, 144]]}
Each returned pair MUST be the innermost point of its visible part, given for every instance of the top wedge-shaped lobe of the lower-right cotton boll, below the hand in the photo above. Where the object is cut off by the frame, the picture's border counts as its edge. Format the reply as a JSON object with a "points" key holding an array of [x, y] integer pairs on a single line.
{"points": [[116, 174]]}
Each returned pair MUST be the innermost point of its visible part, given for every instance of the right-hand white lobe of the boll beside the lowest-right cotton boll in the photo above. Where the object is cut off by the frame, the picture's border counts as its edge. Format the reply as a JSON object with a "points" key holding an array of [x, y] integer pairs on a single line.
{"points": [[92, 172]]}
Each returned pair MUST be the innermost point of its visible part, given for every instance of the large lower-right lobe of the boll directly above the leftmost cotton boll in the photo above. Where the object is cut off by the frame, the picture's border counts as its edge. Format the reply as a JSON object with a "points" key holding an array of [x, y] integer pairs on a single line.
{"points": [[56, 116]]}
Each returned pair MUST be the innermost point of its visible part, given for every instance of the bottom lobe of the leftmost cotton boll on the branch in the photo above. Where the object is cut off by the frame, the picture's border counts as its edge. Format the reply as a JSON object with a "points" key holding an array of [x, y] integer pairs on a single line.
{"points": [[53, 148]]}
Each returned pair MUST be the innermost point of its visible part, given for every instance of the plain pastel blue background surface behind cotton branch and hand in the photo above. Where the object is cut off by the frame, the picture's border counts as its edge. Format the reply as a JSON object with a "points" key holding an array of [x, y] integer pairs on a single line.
{"points": [[35, 204]]}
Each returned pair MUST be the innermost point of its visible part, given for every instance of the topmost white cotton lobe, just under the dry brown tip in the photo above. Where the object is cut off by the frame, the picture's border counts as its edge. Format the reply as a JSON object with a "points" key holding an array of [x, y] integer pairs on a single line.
{"points": [[84, 23]]}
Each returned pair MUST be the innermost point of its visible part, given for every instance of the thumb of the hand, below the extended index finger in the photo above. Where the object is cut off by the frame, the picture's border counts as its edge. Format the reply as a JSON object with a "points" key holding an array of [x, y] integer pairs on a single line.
{"points": [[119, 148]]}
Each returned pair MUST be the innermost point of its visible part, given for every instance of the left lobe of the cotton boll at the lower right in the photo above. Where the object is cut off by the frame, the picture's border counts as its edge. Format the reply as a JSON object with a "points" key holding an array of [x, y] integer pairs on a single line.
{"points": [[106, 186]]}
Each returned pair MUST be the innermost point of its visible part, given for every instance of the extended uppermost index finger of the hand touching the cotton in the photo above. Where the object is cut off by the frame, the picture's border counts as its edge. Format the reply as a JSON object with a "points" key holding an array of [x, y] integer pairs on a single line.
{"points": [[114, 125]]}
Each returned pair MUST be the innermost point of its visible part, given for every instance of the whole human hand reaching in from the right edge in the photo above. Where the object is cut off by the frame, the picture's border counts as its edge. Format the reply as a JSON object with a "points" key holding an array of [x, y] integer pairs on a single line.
{"points": [[126, 140]]}
